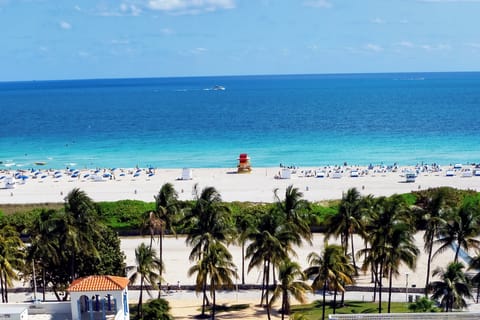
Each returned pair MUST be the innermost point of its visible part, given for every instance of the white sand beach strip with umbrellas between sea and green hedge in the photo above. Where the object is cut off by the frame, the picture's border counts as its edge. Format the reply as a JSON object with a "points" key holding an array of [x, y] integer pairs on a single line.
{"points": [[51, 186]]}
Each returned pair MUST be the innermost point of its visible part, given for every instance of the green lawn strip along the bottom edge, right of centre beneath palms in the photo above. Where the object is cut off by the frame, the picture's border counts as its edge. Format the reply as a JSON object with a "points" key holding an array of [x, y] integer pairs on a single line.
{"points": [[313, 311]]}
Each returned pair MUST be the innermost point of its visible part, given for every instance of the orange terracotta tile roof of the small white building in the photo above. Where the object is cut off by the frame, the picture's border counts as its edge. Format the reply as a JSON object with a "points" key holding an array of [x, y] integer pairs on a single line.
{"points": [[99, 283]]}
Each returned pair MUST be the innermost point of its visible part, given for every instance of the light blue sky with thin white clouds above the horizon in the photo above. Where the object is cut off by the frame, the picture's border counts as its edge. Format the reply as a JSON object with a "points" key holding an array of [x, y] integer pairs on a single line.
{"points": [[65, 39]]}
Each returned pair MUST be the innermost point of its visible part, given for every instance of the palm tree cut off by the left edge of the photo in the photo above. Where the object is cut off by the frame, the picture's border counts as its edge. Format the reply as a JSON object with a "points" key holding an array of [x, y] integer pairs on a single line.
{"points": [[11, 258]]}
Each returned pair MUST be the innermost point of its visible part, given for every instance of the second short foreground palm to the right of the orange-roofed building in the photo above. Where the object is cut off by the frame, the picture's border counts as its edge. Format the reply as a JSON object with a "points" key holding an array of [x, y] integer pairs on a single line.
{"points": [[216, 266]]}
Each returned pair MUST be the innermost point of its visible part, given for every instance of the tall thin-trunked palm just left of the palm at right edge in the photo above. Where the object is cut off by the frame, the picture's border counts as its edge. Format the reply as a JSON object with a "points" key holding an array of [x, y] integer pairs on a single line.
{"points": [[435, 206]]}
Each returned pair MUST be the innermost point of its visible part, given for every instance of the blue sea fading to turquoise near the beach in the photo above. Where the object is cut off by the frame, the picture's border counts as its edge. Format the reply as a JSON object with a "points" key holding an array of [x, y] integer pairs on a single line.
{"points": [[303, 120]]}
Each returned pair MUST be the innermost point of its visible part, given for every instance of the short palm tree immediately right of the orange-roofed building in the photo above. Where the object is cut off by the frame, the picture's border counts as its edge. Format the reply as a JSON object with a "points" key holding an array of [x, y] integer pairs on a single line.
{"points": [[147, 266]]}
